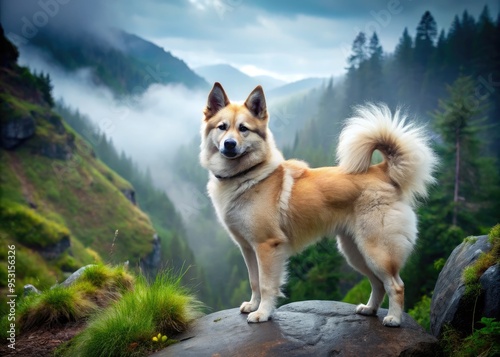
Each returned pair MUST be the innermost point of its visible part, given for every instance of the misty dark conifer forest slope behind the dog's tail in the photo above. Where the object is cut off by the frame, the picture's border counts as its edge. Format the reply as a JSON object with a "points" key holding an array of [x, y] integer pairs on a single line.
{"points": [[449, 80]]}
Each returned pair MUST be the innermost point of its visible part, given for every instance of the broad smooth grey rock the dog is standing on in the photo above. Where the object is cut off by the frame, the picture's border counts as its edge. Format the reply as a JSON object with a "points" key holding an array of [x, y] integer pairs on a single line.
{"points": [[308, 328]]}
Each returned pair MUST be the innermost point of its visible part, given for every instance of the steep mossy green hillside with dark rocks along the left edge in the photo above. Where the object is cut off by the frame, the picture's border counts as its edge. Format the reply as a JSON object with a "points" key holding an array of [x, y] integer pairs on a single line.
{"points": [[59, 205]]}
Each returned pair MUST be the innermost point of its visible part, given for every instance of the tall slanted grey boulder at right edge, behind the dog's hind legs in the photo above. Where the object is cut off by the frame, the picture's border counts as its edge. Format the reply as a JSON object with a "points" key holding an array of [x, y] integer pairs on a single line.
{"points": [[449, 306]]}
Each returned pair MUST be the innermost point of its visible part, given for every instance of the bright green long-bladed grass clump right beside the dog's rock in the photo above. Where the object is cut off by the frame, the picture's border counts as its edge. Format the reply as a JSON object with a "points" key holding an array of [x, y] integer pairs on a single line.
{"points": [[127, 327]]}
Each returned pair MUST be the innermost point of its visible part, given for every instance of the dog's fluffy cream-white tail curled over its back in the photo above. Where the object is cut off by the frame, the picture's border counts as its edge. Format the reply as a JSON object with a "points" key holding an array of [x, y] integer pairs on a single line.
{"points": [[405, 147]]}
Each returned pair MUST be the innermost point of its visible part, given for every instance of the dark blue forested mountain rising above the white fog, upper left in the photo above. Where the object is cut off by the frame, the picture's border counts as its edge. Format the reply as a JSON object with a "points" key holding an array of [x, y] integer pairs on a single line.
{"points": [[125, 63]]}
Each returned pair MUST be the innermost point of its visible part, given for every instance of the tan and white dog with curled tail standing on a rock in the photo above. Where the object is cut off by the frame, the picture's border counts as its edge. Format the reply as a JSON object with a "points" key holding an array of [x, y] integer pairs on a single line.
{"points": [[273, 208]]}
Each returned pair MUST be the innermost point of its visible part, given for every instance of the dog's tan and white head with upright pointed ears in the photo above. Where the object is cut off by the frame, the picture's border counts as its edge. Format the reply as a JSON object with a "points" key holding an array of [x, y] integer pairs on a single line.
{"points": [[234, 136]]}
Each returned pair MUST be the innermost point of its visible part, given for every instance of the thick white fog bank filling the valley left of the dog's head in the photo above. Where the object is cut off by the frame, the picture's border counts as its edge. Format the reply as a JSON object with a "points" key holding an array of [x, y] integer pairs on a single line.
{"points": [[149, 127]]}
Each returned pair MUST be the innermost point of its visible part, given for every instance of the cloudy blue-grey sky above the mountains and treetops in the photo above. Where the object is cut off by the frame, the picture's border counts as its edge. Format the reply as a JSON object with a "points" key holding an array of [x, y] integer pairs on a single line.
{"points": [[287, 39]]}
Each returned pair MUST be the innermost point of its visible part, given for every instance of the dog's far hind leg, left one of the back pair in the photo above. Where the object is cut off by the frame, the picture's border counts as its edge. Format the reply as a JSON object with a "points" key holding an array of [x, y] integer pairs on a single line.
{"points": [[350, 250]]}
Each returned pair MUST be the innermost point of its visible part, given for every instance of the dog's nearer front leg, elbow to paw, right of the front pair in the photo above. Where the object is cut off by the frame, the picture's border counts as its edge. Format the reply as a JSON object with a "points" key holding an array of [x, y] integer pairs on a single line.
{"points": [[271, 257]]}
